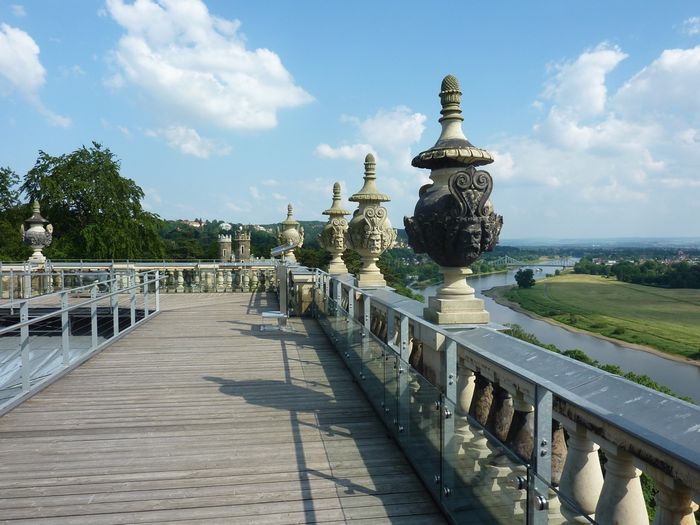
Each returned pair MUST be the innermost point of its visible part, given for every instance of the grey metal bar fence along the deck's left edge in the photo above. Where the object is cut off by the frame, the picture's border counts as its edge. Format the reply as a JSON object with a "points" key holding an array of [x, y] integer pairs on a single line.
{"points": [[44, 337]]}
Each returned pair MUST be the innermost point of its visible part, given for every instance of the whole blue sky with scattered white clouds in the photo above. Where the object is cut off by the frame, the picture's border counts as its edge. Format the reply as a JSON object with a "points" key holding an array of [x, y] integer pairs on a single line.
{"points": [[229, 110]]}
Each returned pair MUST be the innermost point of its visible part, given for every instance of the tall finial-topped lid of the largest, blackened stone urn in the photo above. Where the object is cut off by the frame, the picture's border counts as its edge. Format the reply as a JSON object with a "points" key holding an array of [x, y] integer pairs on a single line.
{"points": [[452, 148]]}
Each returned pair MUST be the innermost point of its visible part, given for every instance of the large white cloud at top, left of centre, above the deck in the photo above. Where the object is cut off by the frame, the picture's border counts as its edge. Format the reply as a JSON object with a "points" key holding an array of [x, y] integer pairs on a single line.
{"points": [[197, 65]]}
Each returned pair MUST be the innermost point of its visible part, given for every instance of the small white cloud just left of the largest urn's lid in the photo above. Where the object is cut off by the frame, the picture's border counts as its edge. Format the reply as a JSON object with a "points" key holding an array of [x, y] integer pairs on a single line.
{"points": [[389, 134]]}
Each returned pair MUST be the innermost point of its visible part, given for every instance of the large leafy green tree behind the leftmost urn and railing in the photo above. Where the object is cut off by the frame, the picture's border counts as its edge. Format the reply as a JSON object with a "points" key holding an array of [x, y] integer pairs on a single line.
{"points": [[96, 213]]}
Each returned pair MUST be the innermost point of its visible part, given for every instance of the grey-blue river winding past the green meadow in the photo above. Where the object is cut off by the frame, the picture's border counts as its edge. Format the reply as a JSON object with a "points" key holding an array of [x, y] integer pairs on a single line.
{"points": [[680, 377]]}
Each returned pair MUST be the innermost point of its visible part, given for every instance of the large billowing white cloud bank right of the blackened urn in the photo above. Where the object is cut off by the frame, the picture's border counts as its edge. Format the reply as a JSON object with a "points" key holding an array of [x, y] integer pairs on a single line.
{"points": [[611, 156]]}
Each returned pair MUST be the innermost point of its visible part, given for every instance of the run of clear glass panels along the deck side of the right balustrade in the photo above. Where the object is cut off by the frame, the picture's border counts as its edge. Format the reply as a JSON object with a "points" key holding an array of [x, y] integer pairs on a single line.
{"points": [[471, 474]]}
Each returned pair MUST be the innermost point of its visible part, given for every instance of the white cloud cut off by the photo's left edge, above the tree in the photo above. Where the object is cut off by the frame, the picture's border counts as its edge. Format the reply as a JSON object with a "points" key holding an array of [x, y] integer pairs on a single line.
{"points": [[21, 69]]}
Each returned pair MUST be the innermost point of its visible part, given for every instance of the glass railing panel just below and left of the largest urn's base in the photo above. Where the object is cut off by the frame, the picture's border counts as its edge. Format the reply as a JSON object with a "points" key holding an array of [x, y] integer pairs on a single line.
{"points": [[419, 417]]}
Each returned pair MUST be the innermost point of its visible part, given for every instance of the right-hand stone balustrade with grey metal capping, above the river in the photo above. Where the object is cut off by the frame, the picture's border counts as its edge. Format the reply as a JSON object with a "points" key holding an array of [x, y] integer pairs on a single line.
{"points": [[601, 431]]}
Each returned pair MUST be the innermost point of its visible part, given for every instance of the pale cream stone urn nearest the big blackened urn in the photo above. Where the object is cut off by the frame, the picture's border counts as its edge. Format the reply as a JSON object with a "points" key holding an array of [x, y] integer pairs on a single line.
{"points": [[369, 231]]}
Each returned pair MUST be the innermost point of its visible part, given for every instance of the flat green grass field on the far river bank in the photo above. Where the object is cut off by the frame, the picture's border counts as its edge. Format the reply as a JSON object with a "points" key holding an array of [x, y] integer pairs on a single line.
{"points": [[665, 319]]}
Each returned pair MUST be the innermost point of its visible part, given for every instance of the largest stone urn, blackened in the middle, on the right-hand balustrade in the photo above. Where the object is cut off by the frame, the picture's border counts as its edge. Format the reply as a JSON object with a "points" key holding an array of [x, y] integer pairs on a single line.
{"points": [[454, 221]]}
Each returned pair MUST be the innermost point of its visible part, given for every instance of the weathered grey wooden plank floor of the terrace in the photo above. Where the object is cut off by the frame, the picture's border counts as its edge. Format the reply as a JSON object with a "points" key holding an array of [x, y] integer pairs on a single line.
{"points": [[199, 417]]}
